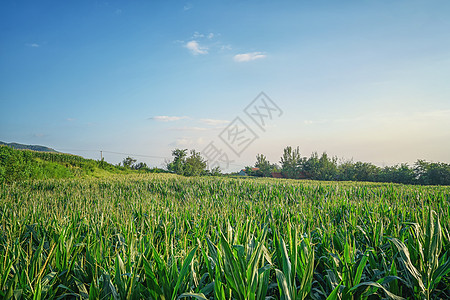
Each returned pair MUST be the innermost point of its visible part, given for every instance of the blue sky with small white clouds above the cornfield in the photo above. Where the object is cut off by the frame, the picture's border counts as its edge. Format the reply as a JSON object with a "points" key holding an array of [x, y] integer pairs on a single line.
{"points": [[359, 79]]}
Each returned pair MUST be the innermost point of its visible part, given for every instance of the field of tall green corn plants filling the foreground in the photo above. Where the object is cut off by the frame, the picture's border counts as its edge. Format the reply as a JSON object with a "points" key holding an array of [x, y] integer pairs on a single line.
{"points": [[161, 236]]}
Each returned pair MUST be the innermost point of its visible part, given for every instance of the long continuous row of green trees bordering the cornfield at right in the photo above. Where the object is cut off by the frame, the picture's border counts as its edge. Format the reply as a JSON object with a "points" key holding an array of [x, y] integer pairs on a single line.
{"points": [[323, 167]]}
